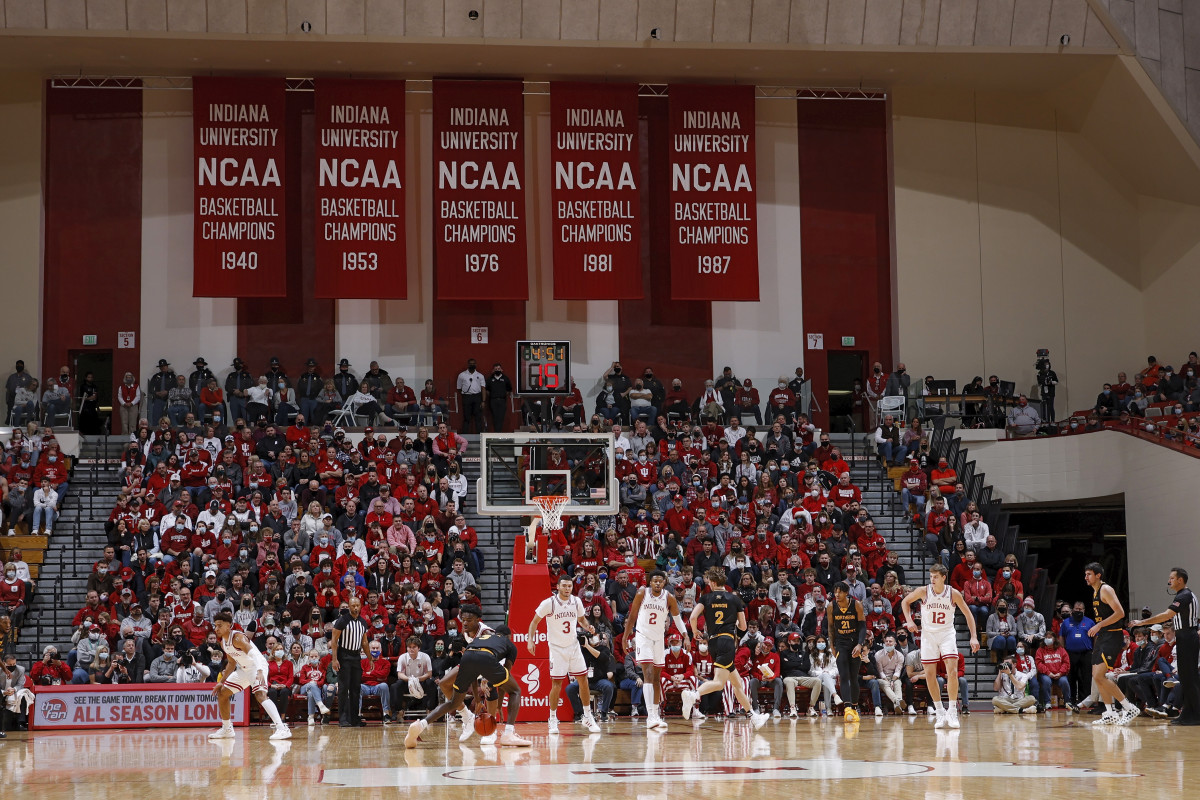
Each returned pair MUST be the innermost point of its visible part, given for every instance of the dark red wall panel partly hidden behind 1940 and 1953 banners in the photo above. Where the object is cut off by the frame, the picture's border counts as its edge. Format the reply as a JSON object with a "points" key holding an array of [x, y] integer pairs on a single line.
{"points": [[298, 327]]}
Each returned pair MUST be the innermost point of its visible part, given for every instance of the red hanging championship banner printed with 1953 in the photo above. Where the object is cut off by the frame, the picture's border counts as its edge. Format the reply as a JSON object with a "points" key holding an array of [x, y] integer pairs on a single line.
{"points": [[361, 194]]}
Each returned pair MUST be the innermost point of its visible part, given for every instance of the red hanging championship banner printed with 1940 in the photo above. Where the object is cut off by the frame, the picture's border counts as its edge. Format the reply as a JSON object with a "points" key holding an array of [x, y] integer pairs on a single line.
{"points": [[239, 243]]}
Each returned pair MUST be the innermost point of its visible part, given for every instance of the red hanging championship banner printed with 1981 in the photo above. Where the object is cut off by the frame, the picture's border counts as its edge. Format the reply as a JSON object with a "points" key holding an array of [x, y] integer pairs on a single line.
{"points": [[596, 202]]}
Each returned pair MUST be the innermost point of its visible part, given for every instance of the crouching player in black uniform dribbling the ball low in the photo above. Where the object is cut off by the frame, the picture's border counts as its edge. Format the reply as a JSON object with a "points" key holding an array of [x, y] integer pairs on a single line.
{"points": [[484, 658]]}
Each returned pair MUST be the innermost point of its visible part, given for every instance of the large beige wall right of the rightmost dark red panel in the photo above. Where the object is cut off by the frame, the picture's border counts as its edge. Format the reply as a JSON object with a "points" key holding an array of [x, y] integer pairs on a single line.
{"points": [[1012, 234]]}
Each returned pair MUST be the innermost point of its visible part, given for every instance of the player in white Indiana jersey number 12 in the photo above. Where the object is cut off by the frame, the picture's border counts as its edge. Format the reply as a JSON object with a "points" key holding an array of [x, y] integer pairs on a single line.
{"points": [[938, 639]]}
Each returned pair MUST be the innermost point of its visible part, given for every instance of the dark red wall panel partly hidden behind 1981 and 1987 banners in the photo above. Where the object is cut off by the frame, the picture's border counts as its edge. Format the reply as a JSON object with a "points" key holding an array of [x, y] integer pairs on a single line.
{"points": [[673, 336]]}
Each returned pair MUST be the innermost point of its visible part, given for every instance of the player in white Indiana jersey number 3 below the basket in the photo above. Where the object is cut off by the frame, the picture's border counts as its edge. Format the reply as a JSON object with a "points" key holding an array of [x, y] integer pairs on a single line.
{"points": [[565, 613]]}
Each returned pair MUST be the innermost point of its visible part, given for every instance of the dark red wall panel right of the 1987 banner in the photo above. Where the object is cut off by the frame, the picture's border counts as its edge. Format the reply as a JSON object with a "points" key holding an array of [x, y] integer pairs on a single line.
{"points": [[845, 232]]}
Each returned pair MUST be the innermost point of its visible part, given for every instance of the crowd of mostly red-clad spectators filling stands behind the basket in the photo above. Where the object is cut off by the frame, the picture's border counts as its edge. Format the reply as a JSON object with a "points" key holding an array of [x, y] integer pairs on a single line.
{"points": [[281, 524]]}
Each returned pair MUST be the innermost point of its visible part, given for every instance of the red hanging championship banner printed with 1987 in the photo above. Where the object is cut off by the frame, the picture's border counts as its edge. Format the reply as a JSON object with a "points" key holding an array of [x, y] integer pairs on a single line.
{"points": [[715, 233]]}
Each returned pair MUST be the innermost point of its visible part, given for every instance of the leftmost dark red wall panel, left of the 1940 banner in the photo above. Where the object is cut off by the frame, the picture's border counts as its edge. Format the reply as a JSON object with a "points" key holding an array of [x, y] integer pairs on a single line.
{"points": [[93, 273]]}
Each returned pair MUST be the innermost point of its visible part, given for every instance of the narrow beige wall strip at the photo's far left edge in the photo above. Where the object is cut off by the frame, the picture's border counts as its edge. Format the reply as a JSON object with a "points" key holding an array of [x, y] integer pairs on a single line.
{"points": [[21, 220]]}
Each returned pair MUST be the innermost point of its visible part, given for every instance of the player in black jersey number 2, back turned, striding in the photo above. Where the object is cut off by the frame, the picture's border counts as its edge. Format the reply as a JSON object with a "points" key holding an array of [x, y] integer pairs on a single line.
{"points": [[724, 618]]}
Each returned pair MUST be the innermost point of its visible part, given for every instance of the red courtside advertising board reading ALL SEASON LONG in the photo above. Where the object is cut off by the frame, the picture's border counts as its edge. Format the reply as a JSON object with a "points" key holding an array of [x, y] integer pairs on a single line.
{"points": [[131, 706]]}
